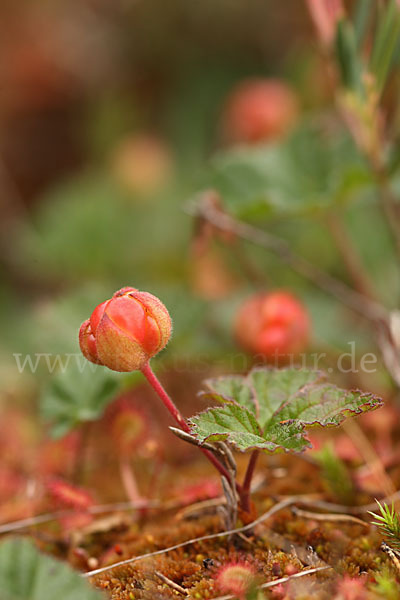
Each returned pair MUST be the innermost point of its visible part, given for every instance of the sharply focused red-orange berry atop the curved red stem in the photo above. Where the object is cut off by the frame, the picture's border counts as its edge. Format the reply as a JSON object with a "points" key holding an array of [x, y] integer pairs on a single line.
{"points": [[124, 332]]}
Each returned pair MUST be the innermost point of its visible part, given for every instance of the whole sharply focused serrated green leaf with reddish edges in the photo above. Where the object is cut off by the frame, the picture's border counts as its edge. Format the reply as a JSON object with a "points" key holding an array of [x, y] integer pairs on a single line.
{"points": [[270, 408]]}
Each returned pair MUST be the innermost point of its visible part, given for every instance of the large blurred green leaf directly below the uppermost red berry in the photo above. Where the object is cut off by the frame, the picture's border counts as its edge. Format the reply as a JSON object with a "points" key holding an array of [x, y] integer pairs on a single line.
{"points": [[310, 171]]}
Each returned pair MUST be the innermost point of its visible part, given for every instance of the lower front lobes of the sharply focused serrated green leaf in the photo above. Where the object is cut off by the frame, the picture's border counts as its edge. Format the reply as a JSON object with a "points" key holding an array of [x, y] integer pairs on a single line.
{"points": [[238, 426]]}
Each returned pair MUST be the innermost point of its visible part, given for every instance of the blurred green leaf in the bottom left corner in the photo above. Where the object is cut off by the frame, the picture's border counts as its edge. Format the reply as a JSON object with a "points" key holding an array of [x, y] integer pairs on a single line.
{"points": [[26, 574]]}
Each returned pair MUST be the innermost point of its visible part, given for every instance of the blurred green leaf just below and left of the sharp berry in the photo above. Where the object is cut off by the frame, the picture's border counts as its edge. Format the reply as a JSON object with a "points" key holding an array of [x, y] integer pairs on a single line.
{"points": [[77, 395]]}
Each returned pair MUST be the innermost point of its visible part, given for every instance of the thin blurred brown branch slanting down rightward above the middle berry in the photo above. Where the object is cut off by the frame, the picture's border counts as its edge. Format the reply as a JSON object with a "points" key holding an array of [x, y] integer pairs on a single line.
{"points": [[205, 208]]}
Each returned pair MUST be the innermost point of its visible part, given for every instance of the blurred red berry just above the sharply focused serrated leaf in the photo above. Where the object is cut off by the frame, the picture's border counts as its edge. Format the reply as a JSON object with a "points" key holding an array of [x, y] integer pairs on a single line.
{"points": [[272, 324]]}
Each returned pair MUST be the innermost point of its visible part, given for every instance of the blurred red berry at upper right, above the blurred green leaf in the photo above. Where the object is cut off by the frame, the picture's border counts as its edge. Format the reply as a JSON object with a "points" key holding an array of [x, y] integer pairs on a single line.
{"points": [[259, 110]]}
